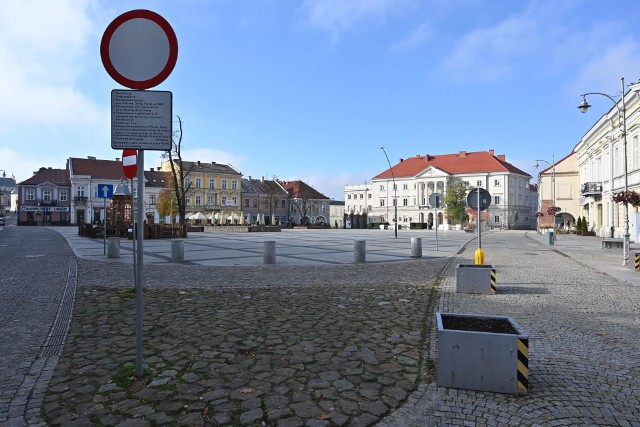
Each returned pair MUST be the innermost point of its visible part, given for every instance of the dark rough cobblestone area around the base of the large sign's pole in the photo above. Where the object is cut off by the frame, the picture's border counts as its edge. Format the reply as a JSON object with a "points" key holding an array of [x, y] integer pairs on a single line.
{"points": [[287, 346]]}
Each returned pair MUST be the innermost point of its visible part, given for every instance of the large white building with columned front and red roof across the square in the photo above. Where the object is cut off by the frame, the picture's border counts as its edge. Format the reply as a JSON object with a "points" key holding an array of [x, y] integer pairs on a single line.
{"points": [[419, 177]]}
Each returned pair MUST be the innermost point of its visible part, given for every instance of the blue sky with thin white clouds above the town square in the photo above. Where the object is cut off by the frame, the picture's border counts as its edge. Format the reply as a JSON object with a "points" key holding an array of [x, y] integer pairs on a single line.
{"points": [[312, 89]]}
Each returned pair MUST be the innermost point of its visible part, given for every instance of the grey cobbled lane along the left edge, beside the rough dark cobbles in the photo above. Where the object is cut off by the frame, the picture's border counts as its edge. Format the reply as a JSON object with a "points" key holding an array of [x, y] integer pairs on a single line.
{"points": [[34, 278]]}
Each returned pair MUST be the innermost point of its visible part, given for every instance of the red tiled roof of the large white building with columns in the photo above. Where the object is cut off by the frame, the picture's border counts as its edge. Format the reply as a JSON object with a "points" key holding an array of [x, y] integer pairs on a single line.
{"points": [[453, 164]]}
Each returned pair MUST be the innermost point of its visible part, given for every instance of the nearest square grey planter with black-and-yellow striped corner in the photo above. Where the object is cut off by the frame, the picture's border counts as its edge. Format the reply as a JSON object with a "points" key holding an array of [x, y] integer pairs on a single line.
{"points": [[485, 353]]}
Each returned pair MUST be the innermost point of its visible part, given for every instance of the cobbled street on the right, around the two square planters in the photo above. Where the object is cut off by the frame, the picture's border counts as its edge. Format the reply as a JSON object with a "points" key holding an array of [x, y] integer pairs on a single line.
{"points": [[583, 328]]}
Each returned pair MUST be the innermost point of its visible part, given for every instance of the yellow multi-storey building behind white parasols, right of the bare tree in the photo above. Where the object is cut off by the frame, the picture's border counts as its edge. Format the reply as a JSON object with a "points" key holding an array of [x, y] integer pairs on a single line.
{"points": [[213, 190]]}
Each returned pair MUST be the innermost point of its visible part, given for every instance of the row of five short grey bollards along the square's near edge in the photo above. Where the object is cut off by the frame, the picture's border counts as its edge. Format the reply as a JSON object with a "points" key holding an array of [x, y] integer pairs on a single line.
{"points": [[268, 250]]}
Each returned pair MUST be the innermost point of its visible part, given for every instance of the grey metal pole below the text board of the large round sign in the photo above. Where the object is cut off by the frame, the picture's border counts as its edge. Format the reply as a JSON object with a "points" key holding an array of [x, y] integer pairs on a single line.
{"points": [[140, 260]]}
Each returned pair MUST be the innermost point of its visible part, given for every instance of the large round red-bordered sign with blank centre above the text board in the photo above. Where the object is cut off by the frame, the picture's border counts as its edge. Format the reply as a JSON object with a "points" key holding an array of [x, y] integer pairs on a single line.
{"points": [[139, 49]]}
